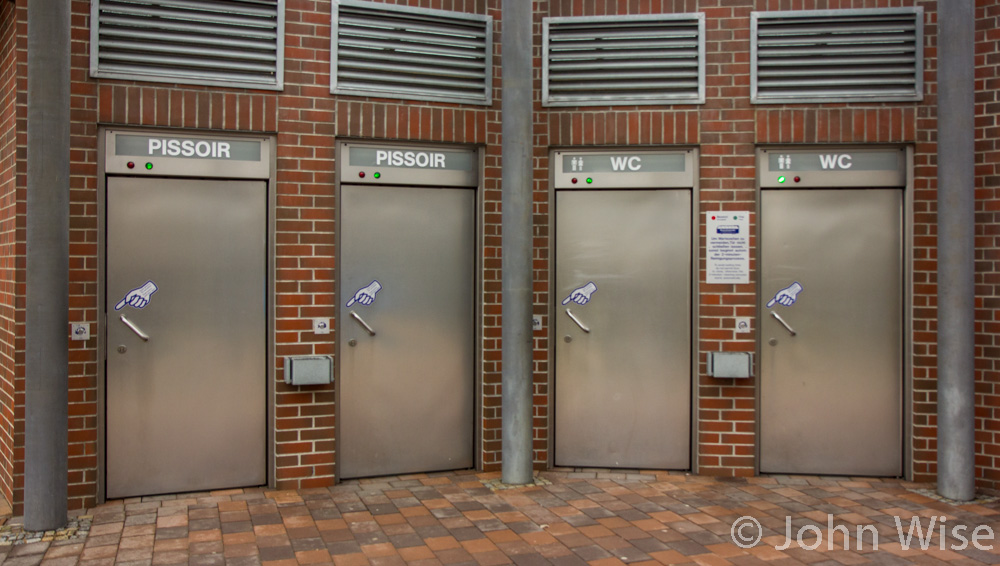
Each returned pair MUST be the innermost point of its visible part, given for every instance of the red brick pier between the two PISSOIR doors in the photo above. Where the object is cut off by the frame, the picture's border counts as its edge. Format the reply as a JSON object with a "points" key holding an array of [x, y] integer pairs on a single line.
{"points": [[304, 115]]}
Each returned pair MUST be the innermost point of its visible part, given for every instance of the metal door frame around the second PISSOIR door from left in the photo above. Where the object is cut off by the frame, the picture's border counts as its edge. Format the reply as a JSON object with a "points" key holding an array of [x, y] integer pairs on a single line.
{"points": [[421, 179]]}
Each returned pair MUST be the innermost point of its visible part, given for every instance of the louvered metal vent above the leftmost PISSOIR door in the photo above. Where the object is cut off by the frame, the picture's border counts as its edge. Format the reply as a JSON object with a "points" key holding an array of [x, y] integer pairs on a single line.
{"points": [[219, 42]]}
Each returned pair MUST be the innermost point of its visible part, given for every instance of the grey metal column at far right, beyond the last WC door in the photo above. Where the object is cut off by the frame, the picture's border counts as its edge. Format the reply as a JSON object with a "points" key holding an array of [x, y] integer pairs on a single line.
{"points": [[956, 231]]}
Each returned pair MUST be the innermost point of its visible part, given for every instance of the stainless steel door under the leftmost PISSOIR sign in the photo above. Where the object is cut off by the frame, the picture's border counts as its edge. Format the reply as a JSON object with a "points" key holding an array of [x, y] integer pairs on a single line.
{"points": [[186, 335]]}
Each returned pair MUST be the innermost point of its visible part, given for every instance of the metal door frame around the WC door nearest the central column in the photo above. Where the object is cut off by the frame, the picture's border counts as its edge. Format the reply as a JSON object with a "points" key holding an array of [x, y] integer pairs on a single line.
{"points": [[670, 183]]}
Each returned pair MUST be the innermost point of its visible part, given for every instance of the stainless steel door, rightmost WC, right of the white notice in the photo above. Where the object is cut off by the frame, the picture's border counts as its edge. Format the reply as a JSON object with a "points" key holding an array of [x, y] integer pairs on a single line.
{"points": [[831, 332]]}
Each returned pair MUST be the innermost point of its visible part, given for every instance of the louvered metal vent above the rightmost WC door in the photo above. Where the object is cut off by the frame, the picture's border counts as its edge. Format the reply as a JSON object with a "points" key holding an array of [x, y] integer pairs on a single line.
{"points": [[838, 56]]}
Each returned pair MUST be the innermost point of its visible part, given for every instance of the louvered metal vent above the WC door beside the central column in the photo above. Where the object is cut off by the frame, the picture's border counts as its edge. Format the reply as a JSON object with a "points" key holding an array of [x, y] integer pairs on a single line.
{"points": [[624, 60]]}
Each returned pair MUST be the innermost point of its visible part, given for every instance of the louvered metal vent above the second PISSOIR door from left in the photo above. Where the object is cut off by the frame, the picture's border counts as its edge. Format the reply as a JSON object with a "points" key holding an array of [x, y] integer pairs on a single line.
{"points": [[410, 53]]}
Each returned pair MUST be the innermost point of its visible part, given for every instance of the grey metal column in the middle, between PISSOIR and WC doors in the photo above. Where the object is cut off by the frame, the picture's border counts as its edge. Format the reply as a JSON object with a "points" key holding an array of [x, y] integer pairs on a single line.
{"points": [[516, 174]]}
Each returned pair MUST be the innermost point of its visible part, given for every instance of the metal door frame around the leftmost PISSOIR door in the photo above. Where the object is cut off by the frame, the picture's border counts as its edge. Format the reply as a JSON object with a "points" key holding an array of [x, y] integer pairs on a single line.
{"points": [[266, 172]]}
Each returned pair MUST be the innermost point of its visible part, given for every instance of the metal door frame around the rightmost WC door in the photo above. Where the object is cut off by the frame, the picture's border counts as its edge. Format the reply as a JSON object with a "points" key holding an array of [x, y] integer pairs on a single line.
{"points": [[829, 181]]}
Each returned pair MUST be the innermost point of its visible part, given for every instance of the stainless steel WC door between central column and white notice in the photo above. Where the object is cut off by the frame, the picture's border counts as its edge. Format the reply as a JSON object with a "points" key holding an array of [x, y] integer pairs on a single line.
{"points": [[623, 320]]}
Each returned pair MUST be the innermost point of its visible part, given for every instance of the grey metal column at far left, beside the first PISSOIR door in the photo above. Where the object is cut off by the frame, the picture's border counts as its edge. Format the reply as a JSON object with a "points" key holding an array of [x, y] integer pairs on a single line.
{"points": [[47, 268]]}
